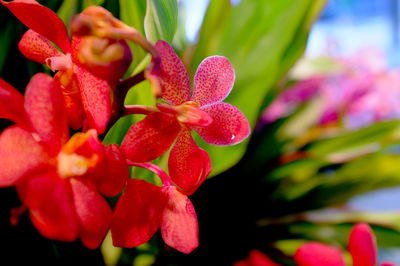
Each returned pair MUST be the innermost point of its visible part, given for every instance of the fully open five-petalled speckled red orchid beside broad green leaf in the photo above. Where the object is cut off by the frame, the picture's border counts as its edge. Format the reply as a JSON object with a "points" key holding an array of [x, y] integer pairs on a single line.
{"points": [[216, 122]]}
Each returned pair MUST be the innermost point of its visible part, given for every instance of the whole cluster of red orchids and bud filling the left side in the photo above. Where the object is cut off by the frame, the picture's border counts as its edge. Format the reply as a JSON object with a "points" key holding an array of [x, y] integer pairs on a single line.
{"points": [[62, 180]]}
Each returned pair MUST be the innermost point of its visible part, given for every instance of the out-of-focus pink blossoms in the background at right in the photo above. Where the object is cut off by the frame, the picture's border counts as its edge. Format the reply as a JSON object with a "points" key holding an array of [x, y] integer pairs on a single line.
{"points": [[361, 92]]}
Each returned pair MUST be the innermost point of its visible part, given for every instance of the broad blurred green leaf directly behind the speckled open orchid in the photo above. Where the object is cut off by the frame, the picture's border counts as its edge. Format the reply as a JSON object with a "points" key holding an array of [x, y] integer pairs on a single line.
{"points": [[257, 37]]}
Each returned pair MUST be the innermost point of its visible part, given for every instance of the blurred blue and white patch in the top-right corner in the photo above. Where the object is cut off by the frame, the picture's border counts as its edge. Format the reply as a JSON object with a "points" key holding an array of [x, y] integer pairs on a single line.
{"points": [[346, 26]]}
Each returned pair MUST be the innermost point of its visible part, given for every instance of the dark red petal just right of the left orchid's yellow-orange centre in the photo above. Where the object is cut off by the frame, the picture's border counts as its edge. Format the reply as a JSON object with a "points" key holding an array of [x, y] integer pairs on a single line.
{"points": [[111, 175]]}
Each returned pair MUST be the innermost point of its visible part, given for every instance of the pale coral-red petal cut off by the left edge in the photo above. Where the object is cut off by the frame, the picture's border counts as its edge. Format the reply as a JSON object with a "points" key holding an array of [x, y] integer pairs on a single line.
{"points": [[20, 155]]}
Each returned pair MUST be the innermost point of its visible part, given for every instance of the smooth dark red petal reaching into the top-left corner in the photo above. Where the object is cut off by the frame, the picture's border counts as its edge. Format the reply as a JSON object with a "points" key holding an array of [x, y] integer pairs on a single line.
{"points": [[42, 20]]}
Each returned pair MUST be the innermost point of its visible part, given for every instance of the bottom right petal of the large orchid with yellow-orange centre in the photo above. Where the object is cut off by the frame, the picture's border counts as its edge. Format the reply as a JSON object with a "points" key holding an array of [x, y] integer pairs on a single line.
{"points": [[93, 212]]}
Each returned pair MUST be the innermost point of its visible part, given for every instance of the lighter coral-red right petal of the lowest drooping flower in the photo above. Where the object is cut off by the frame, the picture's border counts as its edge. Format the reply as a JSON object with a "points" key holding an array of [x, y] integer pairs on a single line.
{"points": [[179, 227]]}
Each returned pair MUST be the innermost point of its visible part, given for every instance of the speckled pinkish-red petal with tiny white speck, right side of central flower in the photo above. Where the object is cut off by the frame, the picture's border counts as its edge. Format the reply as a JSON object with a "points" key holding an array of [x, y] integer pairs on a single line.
{"points": [[229, 125]]}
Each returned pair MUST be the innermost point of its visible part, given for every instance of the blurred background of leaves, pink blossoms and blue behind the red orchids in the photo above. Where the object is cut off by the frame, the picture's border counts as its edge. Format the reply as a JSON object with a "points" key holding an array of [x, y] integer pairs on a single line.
{"points": [[320, 84]]}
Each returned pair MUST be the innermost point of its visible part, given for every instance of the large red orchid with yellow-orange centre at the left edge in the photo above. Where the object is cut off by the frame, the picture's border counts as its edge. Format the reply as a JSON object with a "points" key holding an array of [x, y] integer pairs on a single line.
{"points": [[58, 180]]}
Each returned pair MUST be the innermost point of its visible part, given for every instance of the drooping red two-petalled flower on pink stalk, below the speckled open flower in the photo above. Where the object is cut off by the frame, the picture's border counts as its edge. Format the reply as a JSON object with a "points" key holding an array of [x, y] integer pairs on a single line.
{"points": [[144, 207]]}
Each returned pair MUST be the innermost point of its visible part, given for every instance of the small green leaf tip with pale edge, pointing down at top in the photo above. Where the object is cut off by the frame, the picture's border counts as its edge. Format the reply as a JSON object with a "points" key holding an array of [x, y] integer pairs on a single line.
{"points": [[161, 20]]}
